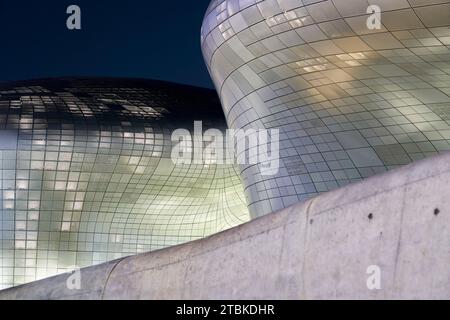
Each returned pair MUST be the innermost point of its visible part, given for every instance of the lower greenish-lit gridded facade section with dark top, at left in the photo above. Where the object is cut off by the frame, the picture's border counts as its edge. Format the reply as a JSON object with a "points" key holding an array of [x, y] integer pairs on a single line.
{"points": [[86, 174]]}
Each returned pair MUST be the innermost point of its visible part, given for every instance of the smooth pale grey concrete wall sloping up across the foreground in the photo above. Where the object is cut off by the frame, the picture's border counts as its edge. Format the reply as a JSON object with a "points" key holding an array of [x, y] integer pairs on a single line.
{"points": [[320, 249]]}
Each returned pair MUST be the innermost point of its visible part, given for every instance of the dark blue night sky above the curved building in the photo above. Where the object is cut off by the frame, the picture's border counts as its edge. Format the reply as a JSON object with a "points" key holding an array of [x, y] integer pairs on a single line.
{"points": [[156, 39]]}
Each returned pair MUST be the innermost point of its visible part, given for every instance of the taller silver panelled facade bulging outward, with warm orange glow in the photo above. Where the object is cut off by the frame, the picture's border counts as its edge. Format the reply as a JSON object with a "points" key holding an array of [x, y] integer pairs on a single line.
{"points": [[353, 93]]}
